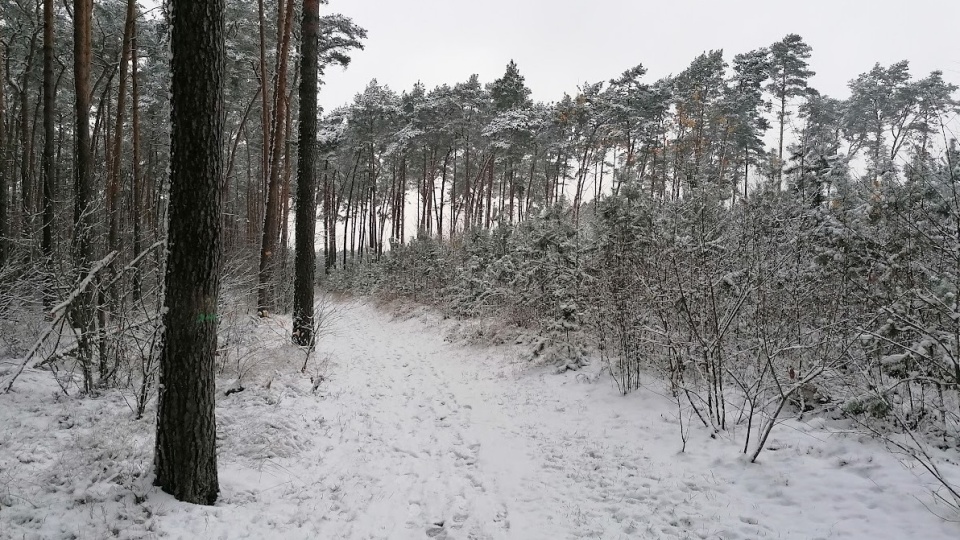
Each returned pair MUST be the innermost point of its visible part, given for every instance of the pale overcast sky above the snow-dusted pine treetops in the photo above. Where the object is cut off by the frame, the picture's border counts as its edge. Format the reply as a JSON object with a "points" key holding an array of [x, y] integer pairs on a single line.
{"points": [[559, 44]]}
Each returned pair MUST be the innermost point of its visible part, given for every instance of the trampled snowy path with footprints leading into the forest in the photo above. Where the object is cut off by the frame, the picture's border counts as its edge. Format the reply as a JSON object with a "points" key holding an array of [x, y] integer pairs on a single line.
{"points": [[441, 440]]}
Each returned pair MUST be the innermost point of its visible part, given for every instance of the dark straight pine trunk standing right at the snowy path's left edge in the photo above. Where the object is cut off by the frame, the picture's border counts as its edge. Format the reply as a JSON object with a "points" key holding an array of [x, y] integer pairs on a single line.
{"points": [[306, 211]]}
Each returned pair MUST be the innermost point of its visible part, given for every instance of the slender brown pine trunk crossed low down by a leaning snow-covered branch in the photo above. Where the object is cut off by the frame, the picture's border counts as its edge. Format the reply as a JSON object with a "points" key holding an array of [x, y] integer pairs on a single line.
{"points": [[82, 309]]}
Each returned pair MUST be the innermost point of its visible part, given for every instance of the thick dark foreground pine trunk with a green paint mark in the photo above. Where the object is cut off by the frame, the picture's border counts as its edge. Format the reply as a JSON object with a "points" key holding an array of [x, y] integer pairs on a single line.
{"points": [[186, 458]]}
